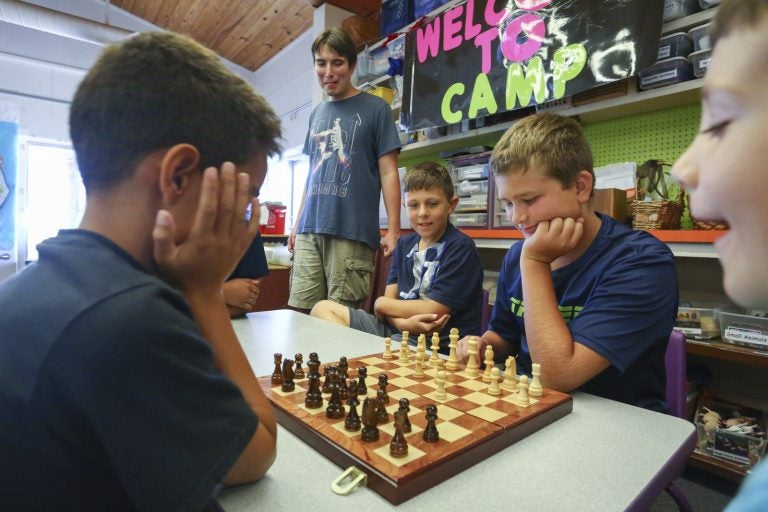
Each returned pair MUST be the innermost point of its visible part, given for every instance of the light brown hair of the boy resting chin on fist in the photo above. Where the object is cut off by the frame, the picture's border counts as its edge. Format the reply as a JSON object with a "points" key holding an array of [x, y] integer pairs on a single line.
{"points": [[552, 143]]}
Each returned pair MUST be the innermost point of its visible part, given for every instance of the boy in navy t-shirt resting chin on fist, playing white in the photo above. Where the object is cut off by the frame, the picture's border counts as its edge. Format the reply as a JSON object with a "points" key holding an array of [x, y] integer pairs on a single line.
{"points": [[588, 298]]}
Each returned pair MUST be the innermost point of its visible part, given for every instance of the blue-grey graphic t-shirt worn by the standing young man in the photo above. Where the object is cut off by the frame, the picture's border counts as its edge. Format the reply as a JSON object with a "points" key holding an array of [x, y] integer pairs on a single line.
{"points": [[345, 140]]}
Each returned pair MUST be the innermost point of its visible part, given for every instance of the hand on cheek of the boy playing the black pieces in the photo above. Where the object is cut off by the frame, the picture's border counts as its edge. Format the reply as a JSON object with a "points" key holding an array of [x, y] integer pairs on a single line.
{"points": [[219, 235]]}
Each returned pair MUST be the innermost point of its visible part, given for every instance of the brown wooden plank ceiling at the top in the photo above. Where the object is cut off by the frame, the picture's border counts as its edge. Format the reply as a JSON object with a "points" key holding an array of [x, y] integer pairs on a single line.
{"points": [[246, 32]]}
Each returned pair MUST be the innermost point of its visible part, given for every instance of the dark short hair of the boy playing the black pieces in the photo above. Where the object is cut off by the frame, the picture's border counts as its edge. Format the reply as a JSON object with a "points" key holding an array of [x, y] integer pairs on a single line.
{"points": [[159, 89]]}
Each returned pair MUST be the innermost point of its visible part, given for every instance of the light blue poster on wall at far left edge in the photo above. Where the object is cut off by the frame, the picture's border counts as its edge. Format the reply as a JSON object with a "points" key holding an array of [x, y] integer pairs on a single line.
{"points": [[9, 133]]}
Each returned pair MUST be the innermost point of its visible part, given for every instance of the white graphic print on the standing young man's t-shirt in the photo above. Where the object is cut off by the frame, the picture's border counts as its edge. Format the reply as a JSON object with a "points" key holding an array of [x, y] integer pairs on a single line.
{"points": [[332, 144]]}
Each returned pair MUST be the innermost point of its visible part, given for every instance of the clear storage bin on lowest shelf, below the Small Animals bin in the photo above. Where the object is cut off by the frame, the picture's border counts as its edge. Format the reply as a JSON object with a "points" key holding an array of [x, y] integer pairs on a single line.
{"points": [[730, 432]]}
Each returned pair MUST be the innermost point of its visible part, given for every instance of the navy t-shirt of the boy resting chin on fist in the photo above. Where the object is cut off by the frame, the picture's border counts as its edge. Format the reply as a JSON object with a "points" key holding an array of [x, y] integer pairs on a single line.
{"points": [[618, 299]]}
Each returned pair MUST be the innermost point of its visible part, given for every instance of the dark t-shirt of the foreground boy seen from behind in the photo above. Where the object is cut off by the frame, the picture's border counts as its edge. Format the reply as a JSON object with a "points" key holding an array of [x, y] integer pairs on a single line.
{"points": [[109, 397]]}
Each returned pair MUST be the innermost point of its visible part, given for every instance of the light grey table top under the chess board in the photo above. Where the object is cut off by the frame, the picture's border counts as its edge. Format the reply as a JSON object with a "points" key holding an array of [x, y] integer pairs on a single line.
{"points": [[602, 456]]}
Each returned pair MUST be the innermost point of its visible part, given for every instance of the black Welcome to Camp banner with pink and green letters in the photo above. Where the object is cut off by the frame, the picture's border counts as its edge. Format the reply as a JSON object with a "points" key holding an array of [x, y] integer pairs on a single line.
{"points": [[484, 57]]}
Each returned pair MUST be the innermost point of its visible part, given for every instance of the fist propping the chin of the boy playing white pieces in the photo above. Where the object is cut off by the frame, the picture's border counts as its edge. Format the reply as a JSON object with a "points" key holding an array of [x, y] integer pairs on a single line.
{"points": [[553, 239]]}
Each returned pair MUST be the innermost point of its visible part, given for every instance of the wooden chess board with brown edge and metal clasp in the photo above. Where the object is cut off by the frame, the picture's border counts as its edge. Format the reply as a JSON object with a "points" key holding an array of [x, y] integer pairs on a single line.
{"points": [[472, 424]]}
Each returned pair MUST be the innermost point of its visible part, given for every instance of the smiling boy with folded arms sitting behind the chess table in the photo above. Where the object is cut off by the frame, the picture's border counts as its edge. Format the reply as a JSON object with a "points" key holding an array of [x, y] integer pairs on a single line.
{"points": [[435, 281]]}
